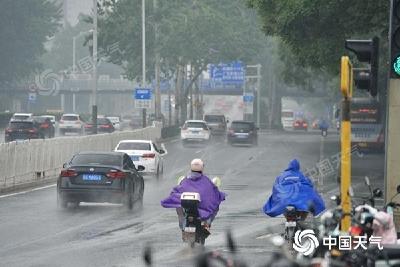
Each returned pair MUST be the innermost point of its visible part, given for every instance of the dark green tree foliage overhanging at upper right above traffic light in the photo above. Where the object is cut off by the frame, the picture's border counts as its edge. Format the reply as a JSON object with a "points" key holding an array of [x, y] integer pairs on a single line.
{"points": [[315, 30]]}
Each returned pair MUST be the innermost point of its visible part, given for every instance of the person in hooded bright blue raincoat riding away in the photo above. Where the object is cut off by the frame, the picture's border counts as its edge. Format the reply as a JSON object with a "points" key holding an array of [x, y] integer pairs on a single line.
{"points": [[293, 188]]}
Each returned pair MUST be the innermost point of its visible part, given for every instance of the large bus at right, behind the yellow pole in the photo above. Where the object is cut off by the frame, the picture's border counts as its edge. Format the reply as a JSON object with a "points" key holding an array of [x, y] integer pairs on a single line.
{"points": [[367, 124]]}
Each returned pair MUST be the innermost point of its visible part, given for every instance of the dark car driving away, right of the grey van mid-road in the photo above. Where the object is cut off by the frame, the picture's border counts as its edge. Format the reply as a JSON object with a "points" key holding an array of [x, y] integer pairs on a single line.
{"points": [[242, 132]]}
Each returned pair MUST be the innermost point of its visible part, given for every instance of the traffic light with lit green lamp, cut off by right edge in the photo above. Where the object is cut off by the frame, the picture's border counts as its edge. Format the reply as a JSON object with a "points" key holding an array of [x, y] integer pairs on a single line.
{"points": [[394, 38]]}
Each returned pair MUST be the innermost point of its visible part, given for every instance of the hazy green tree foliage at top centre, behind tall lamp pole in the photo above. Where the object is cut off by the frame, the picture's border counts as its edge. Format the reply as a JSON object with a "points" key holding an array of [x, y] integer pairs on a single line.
{"points": [[196, 31]]}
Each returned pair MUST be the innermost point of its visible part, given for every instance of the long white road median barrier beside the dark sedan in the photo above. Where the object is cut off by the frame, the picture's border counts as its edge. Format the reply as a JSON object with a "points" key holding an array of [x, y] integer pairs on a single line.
{"points": [[35, 162]]}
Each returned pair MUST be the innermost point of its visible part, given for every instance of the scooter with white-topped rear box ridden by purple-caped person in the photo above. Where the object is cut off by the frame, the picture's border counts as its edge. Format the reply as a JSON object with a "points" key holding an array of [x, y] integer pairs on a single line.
{"points": [[193, 229]]}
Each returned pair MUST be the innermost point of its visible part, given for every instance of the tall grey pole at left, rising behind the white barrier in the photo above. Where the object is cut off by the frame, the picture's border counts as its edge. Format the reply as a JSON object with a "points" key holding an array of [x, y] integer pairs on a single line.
{"points": [[94, 93]]}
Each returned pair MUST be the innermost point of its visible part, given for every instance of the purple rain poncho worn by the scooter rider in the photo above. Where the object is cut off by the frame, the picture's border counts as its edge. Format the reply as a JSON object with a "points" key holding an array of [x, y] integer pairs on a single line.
{"points": [[210, 196]]}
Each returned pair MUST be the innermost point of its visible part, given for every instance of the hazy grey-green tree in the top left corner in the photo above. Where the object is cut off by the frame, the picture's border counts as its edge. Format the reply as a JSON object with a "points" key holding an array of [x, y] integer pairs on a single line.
{"points": [[25, 25]]}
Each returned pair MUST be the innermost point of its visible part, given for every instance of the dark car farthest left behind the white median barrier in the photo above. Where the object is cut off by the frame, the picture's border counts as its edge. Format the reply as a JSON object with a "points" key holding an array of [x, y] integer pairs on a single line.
{"points": [[22, 130]]}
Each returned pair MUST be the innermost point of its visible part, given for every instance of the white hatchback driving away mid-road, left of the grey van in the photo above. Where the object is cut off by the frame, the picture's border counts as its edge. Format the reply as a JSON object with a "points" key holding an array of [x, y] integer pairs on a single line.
{"points": [[195, 130]]}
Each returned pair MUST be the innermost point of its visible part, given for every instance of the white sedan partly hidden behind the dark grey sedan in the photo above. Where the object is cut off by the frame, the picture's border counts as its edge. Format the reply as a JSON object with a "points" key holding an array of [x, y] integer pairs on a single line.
{"points": [[145, 153]]}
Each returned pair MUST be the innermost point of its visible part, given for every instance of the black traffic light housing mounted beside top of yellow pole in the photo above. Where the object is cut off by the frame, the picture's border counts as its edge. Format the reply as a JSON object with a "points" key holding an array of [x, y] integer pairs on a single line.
{"points": [[366, 51]]}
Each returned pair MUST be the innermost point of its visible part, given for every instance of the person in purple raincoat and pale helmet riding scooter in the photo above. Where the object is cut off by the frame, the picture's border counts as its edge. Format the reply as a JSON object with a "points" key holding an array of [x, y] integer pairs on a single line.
{"points": [[196, 181]]}
